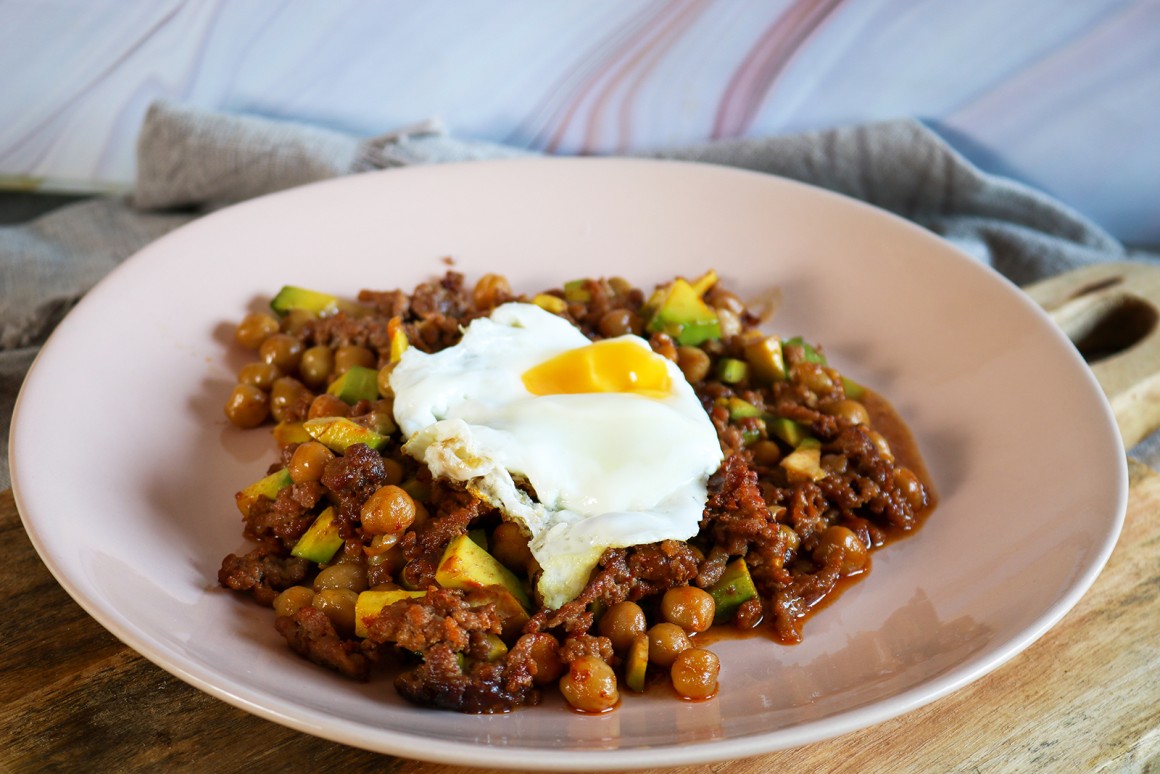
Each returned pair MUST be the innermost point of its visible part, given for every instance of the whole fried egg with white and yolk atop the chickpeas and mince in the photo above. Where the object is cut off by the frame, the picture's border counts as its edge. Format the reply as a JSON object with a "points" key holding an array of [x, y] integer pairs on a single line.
{"points": [[586, 445]]}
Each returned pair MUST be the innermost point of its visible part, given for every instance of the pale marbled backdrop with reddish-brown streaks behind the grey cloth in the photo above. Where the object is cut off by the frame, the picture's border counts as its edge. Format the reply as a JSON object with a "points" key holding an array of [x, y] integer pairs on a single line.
{"points": [[1062, 95]]}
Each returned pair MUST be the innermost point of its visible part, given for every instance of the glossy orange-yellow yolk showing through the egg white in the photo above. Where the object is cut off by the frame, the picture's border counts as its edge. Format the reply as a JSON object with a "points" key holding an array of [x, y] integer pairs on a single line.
{"points": [[612, 366]]}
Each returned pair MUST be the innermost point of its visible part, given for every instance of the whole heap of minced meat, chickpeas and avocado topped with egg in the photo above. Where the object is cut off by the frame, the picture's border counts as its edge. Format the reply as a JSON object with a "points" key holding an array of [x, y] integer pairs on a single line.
{"points": [[491, 495]]}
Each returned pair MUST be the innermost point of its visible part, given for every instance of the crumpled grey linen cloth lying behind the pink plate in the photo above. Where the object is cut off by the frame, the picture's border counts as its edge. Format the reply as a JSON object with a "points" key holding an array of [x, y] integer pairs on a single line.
{"points": [[192, 162]]}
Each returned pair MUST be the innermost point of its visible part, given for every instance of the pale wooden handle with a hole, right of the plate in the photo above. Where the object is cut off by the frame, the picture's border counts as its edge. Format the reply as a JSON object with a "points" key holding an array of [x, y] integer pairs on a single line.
{"points": [[1112, 313]]}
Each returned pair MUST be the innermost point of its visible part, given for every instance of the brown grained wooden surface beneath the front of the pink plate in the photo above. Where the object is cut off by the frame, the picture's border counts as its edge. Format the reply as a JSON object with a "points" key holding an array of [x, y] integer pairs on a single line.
{"points": [[1085, 698]]}
